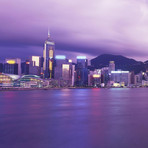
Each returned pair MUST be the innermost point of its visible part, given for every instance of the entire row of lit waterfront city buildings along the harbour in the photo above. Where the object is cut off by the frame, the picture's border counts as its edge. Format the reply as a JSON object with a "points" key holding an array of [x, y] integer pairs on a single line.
{"points": [[53, 71]]}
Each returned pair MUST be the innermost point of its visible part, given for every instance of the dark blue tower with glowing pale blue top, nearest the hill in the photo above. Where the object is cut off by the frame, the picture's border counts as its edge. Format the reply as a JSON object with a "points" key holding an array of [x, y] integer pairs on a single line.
{"points": [[81, 71]]}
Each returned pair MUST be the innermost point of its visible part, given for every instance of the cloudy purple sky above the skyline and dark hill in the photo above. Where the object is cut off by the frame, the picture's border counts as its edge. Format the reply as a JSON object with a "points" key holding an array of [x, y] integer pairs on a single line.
{"points": [[89, 27]]}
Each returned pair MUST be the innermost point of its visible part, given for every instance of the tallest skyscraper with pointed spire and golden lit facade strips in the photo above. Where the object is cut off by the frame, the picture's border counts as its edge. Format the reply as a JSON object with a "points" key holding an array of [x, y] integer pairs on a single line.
{"points": [[48, 56]]}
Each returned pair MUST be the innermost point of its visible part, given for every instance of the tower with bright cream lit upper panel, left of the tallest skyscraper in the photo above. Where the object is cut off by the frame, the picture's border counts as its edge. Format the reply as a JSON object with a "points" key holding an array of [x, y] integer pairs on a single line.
{"points": [[35, 65]]}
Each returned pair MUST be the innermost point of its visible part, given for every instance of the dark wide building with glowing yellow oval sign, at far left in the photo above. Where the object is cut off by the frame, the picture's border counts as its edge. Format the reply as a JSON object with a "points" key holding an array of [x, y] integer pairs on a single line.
{"points": [[12, 66]]}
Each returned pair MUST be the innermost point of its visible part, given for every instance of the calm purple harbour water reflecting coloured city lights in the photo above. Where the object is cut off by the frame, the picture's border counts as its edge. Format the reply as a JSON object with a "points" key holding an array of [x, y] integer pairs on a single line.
{"points": [[74, 118]]}
